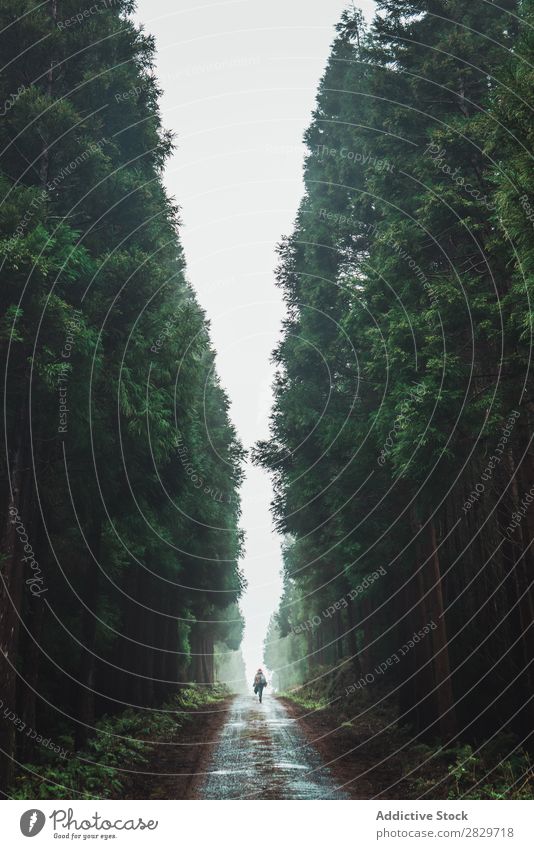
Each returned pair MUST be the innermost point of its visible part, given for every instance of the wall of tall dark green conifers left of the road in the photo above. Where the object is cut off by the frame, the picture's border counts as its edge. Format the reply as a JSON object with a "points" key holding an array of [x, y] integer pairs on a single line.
{"points": [[120, 539]]}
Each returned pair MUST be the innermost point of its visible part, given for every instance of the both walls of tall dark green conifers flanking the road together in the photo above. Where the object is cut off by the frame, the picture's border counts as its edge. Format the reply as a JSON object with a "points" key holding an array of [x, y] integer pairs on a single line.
{"points": [[397, 274]]}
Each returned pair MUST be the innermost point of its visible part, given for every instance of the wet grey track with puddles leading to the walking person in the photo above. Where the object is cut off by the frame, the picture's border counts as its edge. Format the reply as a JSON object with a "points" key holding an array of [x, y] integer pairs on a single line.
{"points": [[263, 754]]}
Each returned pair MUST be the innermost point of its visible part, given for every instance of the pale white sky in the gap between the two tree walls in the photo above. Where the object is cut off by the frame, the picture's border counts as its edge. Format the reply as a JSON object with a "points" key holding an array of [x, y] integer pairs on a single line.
{"points": [[240, 79]]}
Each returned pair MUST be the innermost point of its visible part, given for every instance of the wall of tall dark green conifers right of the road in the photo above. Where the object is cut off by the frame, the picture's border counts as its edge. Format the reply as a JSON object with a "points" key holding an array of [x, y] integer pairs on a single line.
{"points": [[401, 432]]}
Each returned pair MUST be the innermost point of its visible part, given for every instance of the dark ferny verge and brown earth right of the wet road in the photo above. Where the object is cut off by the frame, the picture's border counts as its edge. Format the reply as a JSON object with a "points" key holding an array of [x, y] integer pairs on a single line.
{"points": [[375, 757]]}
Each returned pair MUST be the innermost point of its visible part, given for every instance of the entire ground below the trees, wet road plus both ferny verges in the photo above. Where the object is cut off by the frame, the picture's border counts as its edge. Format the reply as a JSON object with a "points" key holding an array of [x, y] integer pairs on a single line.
{"points": [[205, 744]]}
